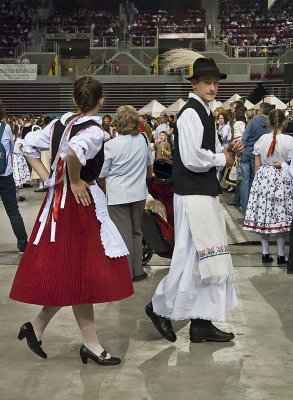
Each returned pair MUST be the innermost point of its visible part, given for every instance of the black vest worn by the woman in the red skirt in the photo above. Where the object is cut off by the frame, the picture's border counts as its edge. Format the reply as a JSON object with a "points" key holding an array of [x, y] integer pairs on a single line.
{"points": [[92, 169]]}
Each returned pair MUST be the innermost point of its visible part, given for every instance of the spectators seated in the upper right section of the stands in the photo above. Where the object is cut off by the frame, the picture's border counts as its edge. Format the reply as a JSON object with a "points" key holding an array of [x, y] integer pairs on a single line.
{"points": [[255, 31]]}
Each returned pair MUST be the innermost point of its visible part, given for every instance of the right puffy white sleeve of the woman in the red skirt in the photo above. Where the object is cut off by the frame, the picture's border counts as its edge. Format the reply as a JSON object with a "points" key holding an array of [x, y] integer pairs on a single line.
{"points": [[86, 144]]}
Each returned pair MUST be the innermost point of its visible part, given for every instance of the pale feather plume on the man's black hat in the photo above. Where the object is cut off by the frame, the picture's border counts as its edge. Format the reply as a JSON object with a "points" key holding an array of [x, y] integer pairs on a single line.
{"points": [[178, 58]]}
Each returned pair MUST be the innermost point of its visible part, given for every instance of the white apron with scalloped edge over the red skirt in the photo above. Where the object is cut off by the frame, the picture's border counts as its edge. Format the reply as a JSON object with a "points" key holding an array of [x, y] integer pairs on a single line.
{"points": [[111, 239]]}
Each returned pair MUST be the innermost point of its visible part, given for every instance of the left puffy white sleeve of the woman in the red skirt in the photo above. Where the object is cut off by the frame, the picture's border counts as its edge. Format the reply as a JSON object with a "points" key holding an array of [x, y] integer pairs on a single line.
{"points": [[36, 141]]}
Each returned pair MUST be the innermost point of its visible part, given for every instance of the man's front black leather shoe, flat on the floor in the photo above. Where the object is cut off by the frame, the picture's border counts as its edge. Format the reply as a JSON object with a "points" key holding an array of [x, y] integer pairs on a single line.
{"points": [[205, 331]]}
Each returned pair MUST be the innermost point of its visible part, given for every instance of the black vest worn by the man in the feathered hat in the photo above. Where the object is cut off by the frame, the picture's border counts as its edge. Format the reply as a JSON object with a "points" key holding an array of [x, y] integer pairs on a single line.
{"points": [[187, 182]]}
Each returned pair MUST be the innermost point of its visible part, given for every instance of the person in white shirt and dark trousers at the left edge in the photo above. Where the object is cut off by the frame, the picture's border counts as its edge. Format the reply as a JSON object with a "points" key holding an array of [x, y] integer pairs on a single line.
{"points": [[8, 188]]}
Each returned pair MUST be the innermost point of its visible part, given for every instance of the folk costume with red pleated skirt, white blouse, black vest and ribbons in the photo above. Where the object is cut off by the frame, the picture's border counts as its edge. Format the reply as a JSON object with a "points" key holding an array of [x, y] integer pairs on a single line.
{"points": [[75, 254]]}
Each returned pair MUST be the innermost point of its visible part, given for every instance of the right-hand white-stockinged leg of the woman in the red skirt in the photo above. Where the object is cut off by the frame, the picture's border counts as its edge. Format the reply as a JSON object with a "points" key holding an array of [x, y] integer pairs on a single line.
{"points": [[84, 315]]}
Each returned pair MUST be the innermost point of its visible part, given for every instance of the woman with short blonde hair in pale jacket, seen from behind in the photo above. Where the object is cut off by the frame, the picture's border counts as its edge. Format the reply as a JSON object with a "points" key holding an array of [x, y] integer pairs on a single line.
{"points": [[127, 164]]}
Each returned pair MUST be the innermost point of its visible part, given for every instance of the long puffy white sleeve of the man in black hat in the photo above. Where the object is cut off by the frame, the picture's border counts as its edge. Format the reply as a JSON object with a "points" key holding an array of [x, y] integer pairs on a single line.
{"points": [[190, 137]]}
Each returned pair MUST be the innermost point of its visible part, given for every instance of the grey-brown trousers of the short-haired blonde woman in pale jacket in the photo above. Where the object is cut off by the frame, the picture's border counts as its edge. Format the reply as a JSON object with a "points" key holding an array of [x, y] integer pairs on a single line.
{"points": [[128, 218]]}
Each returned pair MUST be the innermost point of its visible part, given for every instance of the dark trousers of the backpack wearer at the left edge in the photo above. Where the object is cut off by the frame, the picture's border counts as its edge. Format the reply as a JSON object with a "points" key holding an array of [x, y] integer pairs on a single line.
{"points": [[8, 196]]}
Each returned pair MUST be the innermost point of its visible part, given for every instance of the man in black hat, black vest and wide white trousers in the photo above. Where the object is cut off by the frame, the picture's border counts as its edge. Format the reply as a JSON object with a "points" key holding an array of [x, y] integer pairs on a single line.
{"points": [[199, 285]]}
